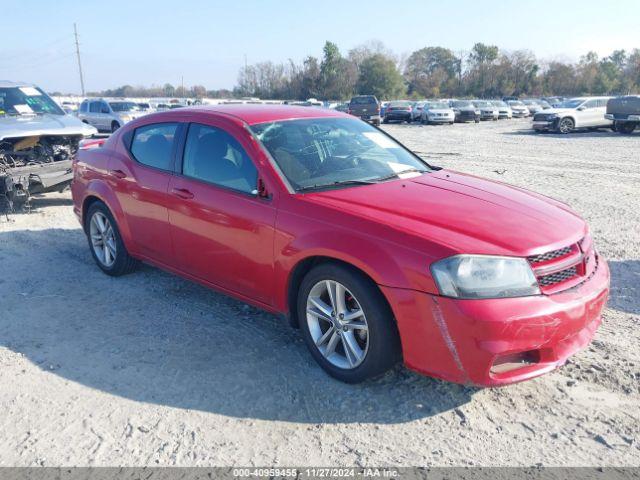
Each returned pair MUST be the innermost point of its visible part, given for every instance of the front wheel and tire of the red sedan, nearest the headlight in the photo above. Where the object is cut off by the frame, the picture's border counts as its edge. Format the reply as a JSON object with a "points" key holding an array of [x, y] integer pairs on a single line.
{"points": [[347, 324]]}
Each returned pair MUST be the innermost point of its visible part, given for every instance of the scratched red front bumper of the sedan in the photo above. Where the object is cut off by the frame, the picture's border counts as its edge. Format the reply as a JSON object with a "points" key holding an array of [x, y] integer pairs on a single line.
{"points": [[463, 340]]}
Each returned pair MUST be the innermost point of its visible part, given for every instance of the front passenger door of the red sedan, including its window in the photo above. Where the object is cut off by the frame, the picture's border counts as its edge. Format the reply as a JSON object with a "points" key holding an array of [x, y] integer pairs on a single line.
{"points": [[222, 230]]}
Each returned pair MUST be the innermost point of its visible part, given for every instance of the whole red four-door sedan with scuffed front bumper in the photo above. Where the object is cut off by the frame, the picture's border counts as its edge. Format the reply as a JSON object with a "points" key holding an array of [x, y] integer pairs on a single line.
{"points": [[377, 256]]}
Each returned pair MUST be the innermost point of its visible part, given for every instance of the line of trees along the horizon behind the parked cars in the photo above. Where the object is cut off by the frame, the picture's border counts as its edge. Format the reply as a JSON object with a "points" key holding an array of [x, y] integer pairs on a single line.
{"points": [[430, 72]]}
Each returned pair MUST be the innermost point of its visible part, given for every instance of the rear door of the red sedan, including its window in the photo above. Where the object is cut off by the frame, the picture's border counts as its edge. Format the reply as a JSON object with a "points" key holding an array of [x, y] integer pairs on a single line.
{"points": [[139, 172]]}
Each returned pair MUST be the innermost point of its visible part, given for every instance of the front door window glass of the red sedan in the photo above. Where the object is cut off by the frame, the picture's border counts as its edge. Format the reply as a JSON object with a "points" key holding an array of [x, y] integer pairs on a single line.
{"points": [[213, 155]]}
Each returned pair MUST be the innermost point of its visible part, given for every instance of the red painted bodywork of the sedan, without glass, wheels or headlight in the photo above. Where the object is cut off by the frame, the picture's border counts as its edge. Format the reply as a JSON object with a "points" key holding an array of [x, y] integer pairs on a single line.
{"points": [[249, 246]]}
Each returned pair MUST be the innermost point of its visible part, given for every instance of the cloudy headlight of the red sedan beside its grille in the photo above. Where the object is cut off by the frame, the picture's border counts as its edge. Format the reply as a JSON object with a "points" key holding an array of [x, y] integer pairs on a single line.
{"points": [[484, 276]]}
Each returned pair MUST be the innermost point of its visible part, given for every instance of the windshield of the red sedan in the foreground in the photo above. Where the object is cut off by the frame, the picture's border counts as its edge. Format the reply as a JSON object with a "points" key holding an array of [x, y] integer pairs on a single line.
{"points": [[320, 152]]}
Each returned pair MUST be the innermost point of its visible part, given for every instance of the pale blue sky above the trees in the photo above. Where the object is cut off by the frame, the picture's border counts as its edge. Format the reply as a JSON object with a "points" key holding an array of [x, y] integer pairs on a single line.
{"points": [[144, 42]]}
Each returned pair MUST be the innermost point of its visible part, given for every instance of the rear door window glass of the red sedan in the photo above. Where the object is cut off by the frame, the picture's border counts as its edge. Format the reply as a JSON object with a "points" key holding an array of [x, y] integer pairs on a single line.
{"points": [[152, 145]]}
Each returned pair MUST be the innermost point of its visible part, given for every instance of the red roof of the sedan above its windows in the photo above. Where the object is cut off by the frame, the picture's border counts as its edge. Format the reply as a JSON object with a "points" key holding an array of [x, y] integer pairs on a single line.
{"points": [[254, 114]]}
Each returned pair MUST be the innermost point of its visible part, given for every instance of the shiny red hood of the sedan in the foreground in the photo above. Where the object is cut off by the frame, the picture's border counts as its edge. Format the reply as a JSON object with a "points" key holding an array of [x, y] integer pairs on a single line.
{"points": [[463, 213]]}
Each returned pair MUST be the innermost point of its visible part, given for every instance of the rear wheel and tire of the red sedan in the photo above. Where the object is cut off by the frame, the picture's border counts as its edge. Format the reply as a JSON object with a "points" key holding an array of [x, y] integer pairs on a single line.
{"points": [[105, 242]]}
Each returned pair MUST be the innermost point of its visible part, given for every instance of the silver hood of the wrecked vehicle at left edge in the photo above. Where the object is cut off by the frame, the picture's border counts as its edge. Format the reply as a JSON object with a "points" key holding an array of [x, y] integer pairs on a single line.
{"points": [[43, 124]]}
